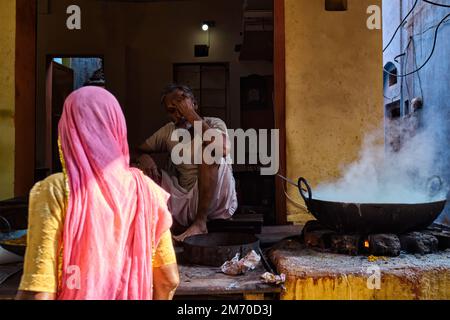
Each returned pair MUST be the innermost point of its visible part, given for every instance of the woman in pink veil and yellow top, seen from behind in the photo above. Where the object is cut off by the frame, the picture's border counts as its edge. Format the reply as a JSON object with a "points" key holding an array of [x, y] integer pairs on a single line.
{"points": [[100, 230]]}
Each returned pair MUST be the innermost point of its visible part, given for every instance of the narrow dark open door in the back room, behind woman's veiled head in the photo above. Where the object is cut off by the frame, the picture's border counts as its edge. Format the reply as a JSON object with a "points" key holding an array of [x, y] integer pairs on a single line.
{"points": [[60, 83]]}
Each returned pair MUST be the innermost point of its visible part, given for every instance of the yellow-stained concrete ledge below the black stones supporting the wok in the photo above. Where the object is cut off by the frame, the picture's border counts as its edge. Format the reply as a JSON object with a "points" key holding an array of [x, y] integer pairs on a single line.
{"points": [[312, 275]]}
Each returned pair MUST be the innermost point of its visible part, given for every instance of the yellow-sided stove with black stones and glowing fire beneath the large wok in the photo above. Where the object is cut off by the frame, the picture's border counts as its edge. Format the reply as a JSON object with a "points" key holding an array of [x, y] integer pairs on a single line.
{"points": [[324, 264]]}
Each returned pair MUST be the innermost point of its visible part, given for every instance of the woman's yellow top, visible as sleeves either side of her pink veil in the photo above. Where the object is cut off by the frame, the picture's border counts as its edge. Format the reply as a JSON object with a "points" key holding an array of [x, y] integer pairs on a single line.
{"points": [[43, 258]]}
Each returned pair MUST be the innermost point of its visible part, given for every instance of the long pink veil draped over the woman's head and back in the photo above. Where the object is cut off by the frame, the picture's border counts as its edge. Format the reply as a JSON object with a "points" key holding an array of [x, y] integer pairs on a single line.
{"points": [[115, 214]]}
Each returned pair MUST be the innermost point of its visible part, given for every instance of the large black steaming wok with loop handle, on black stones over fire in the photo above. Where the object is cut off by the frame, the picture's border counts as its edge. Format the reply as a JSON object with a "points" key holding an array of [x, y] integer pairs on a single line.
{"points": [[367, 218]]}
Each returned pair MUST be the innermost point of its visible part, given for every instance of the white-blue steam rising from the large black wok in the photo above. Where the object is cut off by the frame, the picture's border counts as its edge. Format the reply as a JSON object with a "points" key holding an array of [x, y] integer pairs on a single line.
{"points": [[409, 167]]}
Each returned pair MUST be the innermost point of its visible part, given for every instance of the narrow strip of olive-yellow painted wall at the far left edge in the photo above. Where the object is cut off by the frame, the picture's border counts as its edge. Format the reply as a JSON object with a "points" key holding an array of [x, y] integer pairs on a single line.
{"points": [[7, 97]]}
